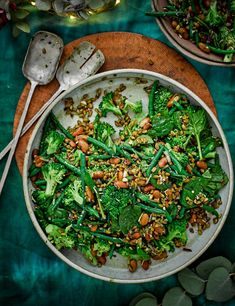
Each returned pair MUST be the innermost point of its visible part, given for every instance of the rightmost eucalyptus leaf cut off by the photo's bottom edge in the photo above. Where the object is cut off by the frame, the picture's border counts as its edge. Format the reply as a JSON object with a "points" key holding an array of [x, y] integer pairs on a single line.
{"points": [[177, 297]]}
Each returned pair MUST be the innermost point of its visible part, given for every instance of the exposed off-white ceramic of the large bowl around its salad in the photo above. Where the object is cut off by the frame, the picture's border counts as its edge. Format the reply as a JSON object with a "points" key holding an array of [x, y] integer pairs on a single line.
{"points": [[115, 269]]}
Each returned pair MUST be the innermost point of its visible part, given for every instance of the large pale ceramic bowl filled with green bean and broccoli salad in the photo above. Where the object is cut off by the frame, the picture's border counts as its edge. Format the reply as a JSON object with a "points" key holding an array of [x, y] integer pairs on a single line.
{"points": [[128, 176]]}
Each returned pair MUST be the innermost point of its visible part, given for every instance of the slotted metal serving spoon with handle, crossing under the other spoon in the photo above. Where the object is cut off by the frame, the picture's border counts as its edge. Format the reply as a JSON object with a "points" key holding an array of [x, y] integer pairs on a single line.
{"points": [[77, 67]]}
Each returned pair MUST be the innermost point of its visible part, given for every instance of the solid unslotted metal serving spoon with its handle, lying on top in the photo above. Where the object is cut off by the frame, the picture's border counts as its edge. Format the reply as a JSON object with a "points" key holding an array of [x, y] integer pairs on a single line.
{"points": [[39, 67]]}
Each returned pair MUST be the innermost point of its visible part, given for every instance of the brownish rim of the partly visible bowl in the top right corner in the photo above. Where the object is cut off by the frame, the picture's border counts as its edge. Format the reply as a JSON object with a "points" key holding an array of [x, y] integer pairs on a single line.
{"points": [[168, 32]]}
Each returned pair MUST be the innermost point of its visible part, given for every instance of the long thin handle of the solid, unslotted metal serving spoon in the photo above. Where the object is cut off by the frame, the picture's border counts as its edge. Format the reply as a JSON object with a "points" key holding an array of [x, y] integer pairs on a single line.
{"points": [[17, 135]]}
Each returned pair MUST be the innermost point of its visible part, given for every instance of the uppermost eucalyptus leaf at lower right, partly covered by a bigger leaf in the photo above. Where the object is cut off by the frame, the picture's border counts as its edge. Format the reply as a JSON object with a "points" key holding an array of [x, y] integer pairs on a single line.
{"points": [[206, 267]]}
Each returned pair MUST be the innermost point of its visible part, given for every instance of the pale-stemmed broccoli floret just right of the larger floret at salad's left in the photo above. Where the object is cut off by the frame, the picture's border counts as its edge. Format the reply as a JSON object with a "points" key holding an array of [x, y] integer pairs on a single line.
{"points": [[73, 193]]}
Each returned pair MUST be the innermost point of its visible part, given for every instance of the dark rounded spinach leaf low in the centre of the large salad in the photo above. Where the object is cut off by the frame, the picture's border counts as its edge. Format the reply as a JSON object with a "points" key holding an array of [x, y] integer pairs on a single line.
{"points": [[129, 217]]}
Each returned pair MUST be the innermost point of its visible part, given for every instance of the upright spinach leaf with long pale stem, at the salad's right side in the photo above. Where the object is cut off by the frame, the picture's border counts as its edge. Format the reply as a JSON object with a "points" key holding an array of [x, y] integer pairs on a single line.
{"points": [[197, 123]]}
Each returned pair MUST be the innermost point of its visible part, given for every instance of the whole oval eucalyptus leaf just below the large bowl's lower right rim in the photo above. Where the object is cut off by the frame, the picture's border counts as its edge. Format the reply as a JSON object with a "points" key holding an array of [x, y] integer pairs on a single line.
{"points": [[191, 282]]}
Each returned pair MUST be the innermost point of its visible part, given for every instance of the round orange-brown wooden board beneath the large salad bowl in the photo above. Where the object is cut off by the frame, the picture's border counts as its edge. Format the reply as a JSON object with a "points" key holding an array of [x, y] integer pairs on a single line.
{"points": [[121, 50]]}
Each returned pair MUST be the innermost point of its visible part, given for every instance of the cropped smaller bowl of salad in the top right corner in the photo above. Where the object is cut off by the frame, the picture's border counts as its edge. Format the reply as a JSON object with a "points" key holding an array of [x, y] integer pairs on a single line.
{"points": [[202, 30]]}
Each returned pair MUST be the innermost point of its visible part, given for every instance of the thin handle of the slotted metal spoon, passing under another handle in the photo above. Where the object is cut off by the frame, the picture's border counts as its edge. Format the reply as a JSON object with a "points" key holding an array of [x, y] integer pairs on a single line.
{"points": [[32, 120]]}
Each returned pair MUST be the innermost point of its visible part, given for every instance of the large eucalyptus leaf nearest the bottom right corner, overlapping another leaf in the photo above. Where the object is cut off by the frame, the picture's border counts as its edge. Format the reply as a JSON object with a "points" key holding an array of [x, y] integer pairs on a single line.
{"points": [[220, 287]]}
